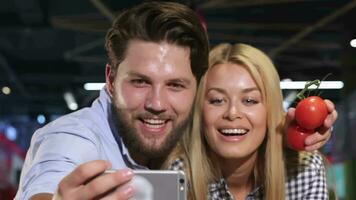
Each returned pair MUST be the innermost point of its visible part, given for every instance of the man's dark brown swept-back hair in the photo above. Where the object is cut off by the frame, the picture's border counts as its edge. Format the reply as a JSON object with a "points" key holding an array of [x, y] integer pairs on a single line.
{"points": [[158, 22]]}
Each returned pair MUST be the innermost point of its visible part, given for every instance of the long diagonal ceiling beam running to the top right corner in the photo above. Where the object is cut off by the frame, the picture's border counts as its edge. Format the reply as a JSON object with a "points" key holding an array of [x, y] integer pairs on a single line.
{"points": [[322, 22]]}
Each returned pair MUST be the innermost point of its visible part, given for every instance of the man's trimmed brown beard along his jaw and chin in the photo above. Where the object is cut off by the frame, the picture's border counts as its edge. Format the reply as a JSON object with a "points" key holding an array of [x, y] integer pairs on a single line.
{"points": [[134, 143]]}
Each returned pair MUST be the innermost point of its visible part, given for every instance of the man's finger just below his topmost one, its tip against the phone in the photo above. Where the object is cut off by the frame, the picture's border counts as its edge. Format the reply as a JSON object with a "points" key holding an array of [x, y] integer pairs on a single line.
{"points": [[105, 183]]}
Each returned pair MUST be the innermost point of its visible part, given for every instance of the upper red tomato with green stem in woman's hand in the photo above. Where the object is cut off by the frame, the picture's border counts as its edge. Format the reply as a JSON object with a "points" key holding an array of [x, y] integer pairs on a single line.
{"points": [[311, 112]]}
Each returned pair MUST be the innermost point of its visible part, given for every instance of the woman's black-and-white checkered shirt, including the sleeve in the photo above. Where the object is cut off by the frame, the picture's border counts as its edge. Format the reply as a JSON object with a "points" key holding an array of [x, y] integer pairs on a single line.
{"points": [[305, 181]]}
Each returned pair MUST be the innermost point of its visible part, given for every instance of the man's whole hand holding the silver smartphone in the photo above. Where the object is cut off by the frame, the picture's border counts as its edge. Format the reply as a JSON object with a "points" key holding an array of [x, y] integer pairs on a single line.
{"points": [[85, 183]]}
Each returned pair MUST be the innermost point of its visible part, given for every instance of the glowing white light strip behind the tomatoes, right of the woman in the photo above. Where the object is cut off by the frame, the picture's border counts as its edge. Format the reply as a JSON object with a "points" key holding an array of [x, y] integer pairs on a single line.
{"points": [[290, 85]]}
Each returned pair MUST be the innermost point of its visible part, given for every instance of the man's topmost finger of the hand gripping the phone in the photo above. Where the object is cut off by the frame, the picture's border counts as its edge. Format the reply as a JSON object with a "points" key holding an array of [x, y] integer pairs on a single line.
{"points": [[83, 173]]}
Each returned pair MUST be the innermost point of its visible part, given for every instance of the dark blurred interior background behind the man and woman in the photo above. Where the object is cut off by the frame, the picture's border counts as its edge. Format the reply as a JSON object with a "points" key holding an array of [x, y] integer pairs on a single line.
{"points": [[50, 50]]}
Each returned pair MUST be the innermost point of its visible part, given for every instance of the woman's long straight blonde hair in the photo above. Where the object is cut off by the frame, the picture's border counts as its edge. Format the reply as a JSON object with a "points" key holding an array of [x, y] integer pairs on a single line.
{"points": [[200, 164]]}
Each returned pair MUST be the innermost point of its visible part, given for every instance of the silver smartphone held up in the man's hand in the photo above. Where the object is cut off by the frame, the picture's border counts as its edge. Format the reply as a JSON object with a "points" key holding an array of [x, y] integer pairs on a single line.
{"points": [[159, 185]]}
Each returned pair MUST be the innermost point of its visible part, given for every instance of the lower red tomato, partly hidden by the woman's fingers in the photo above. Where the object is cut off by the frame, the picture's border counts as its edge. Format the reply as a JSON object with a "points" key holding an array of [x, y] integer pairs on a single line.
{"points": [[296, 136]]}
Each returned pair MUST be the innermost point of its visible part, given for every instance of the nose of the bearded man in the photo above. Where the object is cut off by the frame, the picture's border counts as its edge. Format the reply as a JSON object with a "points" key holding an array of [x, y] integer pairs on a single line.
{"points": [[156, 102]]}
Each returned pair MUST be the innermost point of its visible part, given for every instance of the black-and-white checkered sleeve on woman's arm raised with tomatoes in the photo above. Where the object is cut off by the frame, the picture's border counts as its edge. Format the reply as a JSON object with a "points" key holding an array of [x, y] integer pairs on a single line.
{"points": [[308, 179]]}
